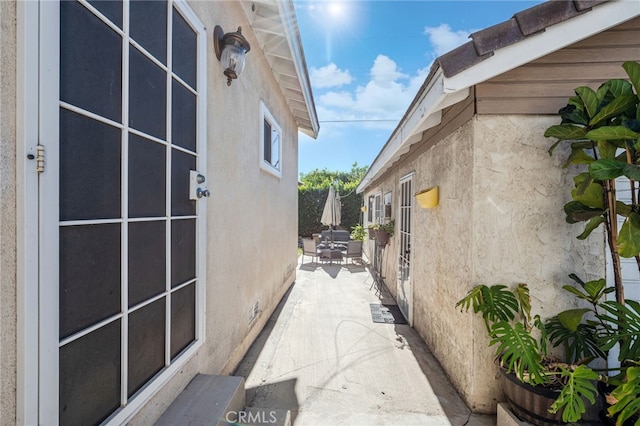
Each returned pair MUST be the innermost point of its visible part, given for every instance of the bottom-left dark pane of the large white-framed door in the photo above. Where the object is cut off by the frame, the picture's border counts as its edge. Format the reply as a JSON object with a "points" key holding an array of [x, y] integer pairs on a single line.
{"points": [[90, 377]]}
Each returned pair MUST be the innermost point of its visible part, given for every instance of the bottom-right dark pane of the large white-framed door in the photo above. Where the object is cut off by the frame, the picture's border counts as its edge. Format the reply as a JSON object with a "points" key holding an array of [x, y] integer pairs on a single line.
{"points": [[183, 318]]}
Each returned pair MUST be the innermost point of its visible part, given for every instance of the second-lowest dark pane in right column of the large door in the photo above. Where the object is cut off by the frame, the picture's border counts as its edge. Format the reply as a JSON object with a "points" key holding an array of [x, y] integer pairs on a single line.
{"points": [[183, 251]]}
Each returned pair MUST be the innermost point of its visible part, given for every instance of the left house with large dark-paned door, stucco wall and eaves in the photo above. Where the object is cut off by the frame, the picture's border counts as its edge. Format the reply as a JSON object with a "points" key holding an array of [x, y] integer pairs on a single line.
{"points": [[117, 287]]}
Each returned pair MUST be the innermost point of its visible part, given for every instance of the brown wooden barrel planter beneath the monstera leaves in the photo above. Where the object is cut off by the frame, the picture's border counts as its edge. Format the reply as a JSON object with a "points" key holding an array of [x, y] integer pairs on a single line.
{"points": [[532, 403]]}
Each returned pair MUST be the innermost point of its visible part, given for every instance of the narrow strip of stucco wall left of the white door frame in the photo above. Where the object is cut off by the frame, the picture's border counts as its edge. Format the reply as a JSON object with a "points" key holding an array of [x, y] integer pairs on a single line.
{"points": [[8, 212]]}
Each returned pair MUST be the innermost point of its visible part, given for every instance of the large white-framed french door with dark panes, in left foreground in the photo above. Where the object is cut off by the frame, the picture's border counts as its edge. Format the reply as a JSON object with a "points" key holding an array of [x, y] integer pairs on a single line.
{"points": [[121, 124]]}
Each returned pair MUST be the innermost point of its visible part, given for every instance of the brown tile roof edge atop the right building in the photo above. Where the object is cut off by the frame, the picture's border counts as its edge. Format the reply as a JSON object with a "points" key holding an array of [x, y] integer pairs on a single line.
{"points": [[522, 25]]}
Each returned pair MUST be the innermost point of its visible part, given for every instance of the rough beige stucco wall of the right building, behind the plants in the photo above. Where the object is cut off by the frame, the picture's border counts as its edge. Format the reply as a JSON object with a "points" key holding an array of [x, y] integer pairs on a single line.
{"points": [[499, 220]]}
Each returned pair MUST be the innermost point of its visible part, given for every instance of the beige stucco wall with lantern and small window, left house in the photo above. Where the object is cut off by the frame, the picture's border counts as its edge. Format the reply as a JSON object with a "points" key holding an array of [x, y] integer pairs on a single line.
{"points": [[252, 214]]}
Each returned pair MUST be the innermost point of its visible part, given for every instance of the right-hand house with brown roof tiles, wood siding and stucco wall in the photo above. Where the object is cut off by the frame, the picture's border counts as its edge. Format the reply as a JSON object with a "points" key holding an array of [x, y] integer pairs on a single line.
{"points": [[475, 130]]}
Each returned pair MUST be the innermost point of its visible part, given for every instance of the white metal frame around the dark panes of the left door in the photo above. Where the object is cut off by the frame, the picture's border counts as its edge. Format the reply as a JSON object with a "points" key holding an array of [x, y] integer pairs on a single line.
{"points": [[38, 90]]}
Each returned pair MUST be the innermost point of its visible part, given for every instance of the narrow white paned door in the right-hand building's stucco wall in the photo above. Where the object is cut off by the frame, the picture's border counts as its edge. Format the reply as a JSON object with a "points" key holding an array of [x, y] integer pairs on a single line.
{"points": [[405, 213]]}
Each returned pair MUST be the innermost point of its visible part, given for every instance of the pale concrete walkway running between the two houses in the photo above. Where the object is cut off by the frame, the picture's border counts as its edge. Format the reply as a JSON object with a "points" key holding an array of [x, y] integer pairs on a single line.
{"points": [[322, 357]]}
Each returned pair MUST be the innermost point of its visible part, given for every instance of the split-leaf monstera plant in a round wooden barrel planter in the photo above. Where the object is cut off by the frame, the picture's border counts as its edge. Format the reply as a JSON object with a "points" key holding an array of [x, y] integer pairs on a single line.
{"points": [[541, 388]]}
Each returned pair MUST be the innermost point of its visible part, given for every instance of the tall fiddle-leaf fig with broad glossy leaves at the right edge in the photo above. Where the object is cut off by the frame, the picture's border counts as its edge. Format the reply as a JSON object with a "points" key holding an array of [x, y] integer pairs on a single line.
{"points": [[603, 129]]}
